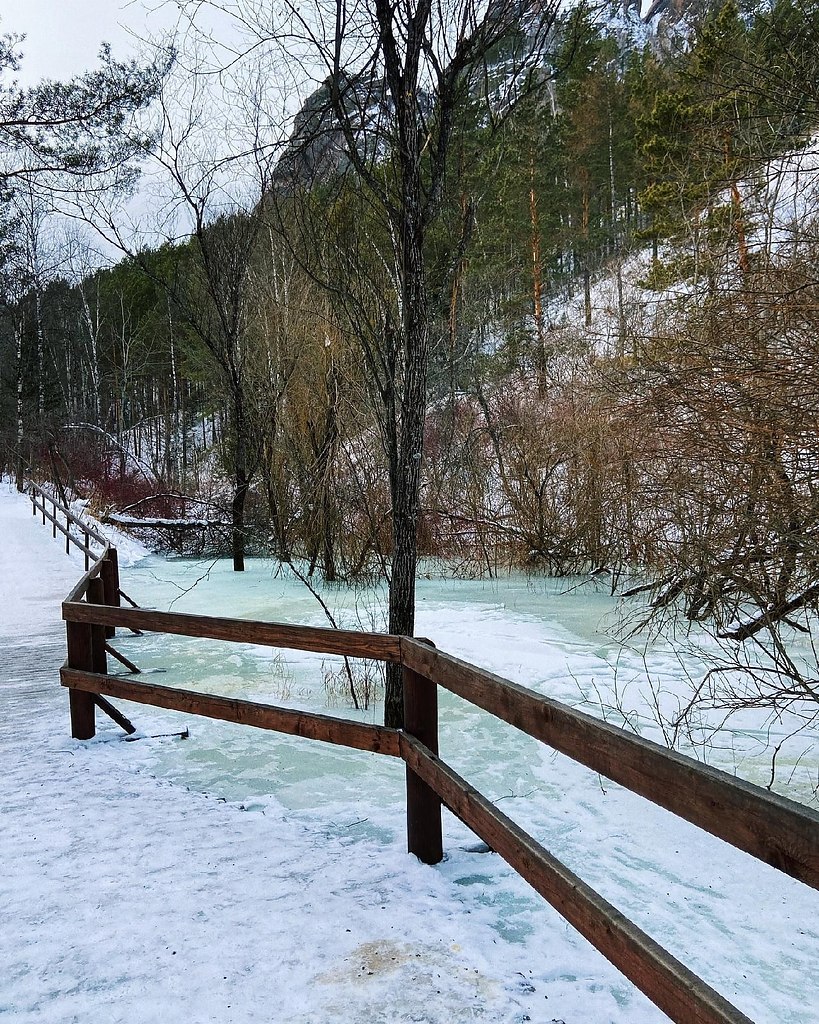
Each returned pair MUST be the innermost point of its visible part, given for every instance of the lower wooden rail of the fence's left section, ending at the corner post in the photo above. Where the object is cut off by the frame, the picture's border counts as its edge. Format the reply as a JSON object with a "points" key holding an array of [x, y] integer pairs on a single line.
{"points": [[360, 736]]}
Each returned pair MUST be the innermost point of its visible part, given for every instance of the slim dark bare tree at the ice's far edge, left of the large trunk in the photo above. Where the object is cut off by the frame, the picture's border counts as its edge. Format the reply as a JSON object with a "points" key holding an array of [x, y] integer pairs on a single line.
{"points": [[211, 159]]}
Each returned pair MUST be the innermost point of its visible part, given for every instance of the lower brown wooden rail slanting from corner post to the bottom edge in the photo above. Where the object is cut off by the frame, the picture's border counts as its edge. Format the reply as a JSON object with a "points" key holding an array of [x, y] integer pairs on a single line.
{"points": [[679, 993]]}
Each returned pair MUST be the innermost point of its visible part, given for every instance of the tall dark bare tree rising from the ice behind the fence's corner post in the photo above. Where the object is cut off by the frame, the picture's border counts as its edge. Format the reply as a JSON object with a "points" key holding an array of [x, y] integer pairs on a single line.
{"points": [[392, 78]]}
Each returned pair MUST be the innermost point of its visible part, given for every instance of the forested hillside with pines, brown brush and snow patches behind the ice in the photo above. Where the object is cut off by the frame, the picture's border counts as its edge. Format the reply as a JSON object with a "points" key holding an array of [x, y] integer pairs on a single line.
{"points": [[620, 272]]}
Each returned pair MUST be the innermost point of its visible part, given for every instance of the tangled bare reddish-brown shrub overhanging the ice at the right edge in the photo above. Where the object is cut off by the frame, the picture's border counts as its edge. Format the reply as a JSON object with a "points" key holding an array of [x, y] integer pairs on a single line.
{"points": [[724, 461]]}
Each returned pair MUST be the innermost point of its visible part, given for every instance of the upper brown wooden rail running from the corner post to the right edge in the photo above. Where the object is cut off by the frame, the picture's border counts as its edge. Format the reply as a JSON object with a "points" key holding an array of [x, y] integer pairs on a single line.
{"points": [[771, 828]]}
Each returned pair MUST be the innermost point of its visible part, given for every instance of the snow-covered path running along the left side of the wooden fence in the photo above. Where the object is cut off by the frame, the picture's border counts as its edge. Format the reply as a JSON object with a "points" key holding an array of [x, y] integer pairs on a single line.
{"points": [[126, 899]]}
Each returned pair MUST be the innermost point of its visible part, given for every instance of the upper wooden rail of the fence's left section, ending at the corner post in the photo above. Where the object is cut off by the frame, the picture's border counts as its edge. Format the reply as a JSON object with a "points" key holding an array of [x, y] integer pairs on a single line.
{"points": [[378, 647]]}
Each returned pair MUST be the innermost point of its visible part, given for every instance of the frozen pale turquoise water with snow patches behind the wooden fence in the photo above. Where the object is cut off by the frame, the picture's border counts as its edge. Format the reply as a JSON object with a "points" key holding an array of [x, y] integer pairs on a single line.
{"points": [[751, 932]]}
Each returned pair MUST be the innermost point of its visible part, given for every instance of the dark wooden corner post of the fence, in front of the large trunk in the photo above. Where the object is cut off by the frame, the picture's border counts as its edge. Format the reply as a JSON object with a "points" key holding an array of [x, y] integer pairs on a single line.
{"points": [[423, 804]]}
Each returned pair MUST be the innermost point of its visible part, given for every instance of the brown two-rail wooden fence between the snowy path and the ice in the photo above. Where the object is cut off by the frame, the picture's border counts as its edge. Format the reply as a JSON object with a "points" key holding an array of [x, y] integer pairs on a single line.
{"points": [[770, 828]]}
